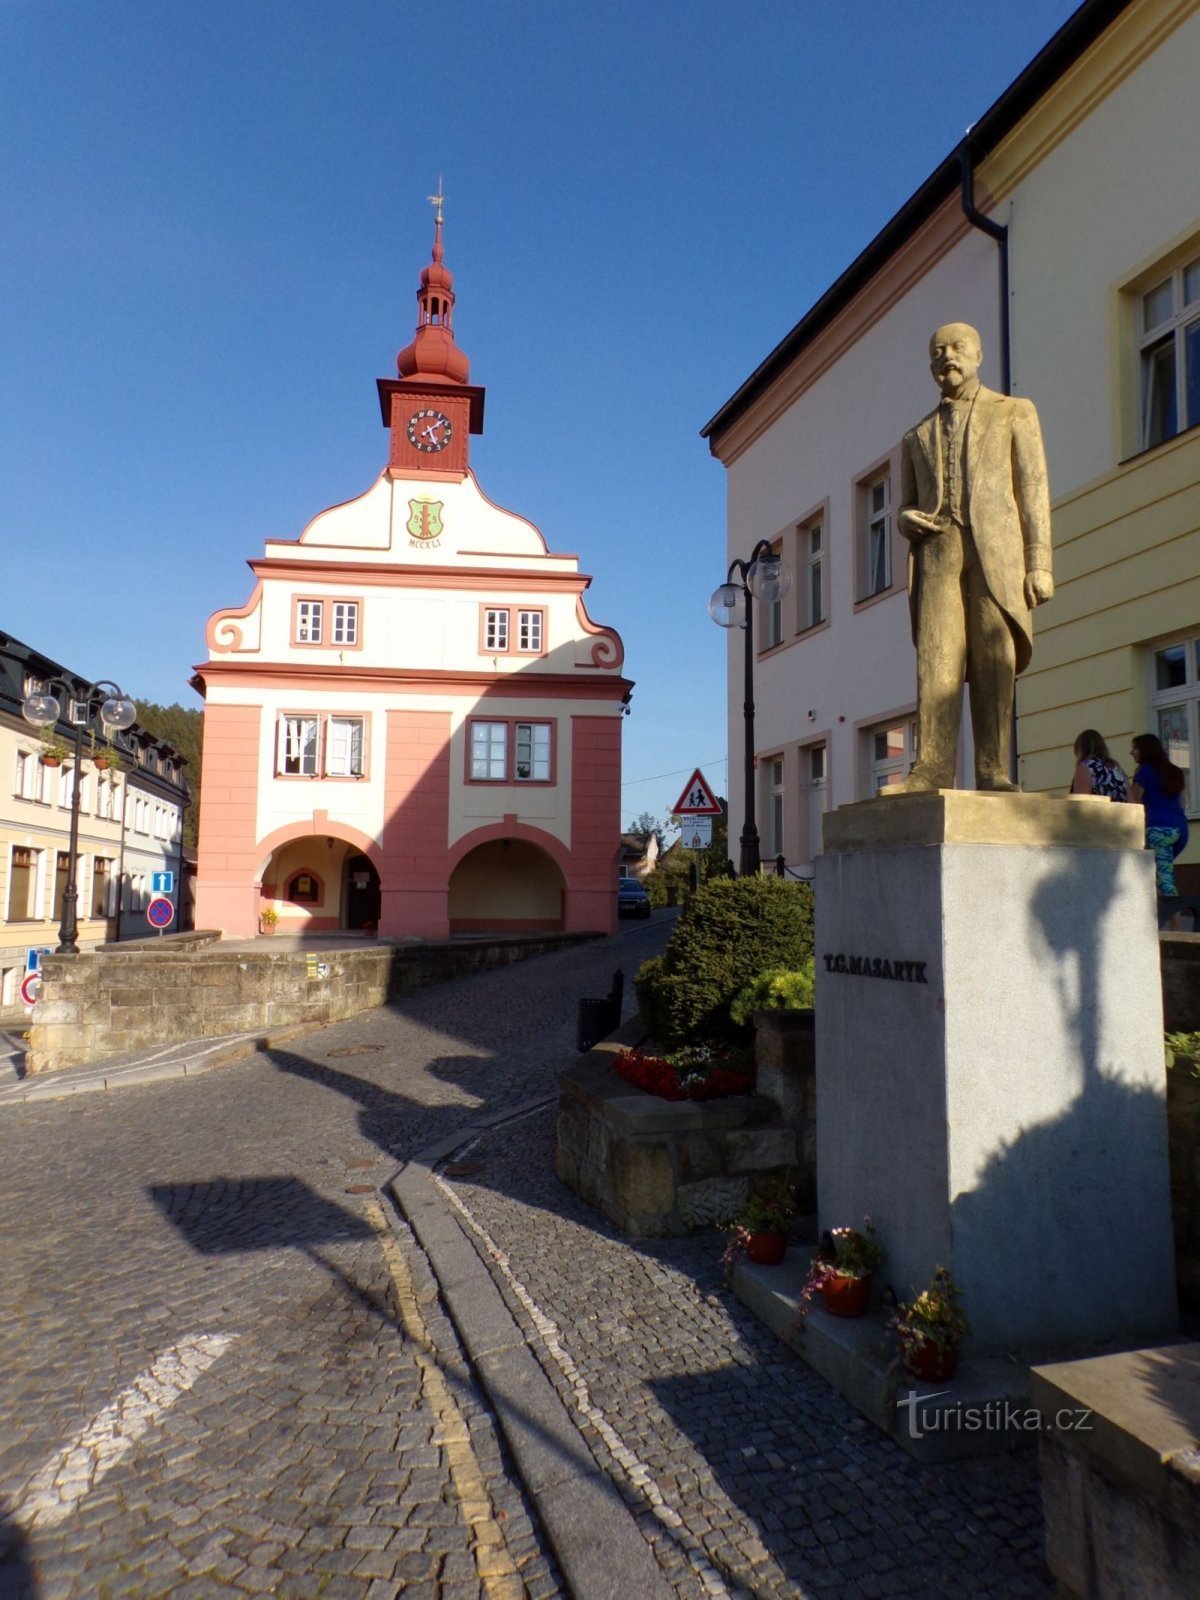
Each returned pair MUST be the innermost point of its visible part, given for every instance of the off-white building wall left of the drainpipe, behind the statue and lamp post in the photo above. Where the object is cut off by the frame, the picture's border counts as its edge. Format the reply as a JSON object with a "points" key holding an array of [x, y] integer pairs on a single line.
{"points": [[838, 420]]}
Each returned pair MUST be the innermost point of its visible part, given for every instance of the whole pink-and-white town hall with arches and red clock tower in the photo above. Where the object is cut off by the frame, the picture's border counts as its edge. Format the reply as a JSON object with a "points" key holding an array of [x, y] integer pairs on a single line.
{"points": [[414, 726]]}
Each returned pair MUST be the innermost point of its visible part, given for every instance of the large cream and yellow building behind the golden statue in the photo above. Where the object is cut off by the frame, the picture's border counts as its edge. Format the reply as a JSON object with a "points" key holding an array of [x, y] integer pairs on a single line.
{"points": [[1086, 167]]}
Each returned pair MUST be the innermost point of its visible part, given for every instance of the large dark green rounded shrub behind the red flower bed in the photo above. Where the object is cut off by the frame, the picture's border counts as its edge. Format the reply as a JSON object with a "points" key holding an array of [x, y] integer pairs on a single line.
{"points": [[729, 934]]}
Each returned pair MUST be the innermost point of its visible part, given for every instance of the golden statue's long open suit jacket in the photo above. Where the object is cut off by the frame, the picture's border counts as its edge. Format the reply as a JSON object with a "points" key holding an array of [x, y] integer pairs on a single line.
{"points": [[1007, 502]]}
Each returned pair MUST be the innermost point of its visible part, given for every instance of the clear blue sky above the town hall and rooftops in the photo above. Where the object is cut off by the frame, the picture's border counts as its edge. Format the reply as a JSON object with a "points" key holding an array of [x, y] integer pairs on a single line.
{"points": [[215, 217]]}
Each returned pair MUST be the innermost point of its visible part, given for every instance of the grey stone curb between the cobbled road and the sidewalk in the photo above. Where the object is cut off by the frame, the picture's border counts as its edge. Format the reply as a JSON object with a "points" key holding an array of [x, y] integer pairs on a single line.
{"points": [[593, 1534]]}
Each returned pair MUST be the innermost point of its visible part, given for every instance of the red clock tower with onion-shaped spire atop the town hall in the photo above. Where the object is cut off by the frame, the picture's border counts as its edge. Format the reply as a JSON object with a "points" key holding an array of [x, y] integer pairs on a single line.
{"points": [[431, 409]]}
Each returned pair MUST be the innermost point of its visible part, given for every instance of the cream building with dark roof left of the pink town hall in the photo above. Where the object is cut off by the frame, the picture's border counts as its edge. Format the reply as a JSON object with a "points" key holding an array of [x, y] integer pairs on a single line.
{"points": [[130, 823]]}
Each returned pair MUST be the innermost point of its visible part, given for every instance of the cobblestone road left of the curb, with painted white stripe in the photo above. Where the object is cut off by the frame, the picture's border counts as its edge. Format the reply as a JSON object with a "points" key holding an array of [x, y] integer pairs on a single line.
{"points": [[225, 1374]]}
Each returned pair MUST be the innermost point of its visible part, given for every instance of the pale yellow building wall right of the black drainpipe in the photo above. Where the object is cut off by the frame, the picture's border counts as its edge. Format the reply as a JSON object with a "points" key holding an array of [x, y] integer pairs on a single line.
{"points": [[1105, 198]]}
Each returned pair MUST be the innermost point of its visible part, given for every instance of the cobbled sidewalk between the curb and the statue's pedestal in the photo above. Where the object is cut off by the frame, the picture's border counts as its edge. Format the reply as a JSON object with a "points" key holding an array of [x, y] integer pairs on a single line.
{"points": [[748, 1473]]}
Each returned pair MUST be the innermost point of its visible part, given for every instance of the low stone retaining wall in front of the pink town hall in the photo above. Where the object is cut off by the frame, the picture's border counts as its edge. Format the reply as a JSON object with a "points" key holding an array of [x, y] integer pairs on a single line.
{"points": [[122, 999]]}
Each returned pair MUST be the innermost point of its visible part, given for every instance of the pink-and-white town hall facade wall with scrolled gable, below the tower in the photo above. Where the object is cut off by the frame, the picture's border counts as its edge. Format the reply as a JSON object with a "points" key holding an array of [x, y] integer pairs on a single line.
{"points": [[425, 663]]}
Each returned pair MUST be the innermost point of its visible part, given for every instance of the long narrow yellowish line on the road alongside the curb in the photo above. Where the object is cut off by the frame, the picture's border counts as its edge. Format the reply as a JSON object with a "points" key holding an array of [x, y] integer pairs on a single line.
{"points": [[498, 1577]]}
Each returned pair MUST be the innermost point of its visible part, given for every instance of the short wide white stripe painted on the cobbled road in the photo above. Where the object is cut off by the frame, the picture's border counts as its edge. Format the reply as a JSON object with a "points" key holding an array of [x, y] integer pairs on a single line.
{"points": [[57, 1489]]}
